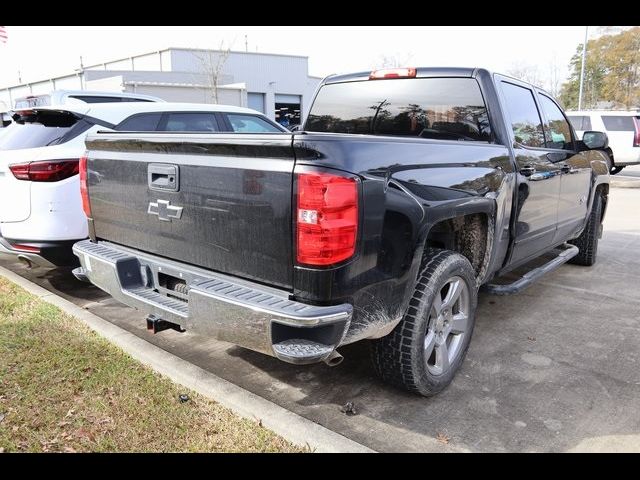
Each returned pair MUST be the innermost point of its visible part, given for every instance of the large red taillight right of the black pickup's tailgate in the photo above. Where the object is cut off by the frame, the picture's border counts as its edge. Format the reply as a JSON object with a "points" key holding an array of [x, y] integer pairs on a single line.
{"points": [[326, 218]]}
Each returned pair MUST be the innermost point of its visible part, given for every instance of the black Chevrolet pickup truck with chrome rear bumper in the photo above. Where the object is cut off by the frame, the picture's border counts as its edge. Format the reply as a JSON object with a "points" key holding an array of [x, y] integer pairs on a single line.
{"points": [[405, 191]]}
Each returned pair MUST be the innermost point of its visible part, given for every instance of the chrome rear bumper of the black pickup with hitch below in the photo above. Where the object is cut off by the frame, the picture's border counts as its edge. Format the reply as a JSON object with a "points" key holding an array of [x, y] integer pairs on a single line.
{"points": [[237, 311]]}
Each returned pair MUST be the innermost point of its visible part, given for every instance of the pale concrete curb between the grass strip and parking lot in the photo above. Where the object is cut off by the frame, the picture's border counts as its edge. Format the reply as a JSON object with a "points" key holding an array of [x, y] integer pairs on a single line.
{"points": [[289, 425]]}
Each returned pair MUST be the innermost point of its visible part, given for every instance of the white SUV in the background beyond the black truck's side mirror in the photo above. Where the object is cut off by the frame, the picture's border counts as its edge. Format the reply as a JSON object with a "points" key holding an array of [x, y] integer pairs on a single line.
{"points": [[622, 128]]}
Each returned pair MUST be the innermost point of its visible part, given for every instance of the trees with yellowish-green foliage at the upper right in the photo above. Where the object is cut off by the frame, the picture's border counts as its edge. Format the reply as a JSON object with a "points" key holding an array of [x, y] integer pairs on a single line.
{"points": [[612, 72]]}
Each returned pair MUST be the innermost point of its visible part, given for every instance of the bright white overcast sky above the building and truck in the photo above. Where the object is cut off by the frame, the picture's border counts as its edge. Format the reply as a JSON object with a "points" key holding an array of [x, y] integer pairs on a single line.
{"points": [[43, 52]]}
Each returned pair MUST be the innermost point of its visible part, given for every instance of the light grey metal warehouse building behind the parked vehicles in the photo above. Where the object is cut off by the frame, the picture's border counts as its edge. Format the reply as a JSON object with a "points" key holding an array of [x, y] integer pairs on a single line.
{"points": [[277, 85]]}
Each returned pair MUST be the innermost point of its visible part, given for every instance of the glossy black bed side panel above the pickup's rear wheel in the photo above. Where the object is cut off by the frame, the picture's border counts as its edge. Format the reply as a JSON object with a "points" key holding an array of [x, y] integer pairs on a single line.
{"points": [[408, 185]]}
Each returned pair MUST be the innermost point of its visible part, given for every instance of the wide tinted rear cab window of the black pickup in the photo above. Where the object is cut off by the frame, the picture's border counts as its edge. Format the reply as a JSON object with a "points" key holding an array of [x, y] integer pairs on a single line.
{"points": [[435, 108]]}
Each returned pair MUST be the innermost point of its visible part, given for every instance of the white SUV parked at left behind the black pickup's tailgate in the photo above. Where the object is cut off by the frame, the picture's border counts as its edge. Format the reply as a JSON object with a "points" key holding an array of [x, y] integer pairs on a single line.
{"points": [[41, 212]]}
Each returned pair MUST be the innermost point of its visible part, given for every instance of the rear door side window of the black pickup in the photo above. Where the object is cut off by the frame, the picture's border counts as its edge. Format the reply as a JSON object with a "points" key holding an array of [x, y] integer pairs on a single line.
{"points": [[525, 118]]}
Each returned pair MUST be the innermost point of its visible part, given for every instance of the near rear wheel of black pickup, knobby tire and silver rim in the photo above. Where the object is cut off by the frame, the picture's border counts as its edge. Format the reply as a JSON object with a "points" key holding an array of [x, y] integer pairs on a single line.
{"points": [[399, 358]]}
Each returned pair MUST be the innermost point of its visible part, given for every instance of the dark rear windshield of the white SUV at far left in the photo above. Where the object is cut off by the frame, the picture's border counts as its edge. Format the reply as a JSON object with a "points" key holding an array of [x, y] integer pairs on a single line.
{"points": [[42, 130]]}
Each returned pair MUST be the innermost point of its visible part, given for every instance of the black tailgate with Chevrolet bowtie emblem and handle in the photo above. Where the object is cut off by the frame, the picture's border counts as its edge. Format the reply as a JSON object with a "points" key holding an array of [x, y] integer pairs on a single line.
{"points": [[219, 201]]}
